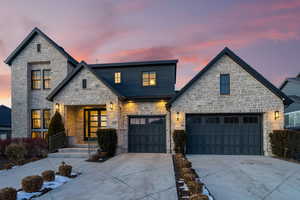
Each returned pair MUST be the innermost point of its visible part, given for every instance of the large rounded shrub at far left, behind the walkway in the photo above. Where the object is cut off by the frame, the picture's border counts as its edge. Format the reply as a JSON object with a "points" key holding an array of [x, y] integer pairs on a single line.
{"points": [[15, 152]]}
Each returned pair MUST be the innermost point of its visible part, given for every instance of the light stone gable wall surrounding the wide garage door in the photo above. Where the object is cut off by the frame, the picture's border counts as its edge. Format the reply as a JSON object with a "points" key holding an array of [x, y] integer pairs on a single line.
{"points": [[247, 95]]}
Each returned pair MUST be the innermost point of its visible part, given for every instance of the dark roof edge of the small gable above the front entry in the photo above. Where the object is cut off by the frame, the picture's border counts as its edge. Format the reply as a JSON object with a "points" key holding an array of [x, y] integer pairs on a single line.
{"points": [[71, 75]]}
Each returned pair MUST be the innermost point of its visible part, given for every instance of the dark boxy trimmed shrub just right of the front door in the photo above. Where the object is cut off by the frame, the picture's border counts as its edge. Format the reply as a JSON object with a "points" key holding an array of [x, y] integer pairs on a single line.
{"points": [[107, 140]]}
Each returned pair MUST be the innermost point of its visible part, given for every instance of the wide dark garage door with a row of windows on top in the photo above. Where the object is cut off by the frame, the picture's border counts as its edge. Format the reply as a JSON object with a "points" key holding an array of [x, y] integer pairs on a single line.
{"points": [[224, 134]]}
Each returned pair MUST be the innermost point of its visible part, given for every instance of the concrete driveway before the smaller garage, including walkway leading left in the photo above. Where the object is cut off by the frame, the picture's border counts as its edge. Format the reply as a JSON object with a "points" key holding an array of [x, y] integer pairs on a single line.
{"points": [[127, 176]]}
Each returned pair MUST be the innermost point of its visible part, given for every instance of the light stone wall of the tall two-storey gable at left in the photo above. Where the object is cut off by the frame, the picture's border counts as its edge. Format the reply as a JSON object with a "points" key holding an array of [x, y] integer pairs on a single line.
{"points": [[23, 98]]}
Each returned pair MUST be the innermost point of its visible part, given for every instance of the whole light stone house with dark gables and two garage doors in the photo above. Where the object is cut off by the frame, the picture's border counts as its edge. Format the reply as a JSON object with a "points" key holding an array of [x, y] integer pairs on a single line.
{"points": [[227, 108]]}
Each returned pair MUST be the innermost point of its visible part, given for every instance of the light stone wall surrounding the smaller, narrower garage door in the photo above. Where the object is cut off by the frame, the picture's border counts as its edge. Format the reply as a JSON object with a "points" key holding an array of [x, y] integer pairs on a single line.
{"points": [[142, 108]]}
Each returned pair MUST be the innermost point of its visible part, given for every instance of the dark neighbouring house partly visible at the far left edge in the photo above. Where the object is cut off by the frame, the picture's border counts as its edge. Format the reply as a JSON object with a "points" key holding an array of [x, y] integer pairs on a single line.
{"points": [[5, 122]]}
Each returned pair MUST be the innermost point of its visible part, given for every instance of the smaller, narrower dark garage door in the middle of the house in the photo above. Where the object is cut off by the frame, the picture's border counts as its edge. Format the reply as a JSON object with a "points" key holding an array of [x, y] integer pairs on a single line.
{"points": [[147, 134]]}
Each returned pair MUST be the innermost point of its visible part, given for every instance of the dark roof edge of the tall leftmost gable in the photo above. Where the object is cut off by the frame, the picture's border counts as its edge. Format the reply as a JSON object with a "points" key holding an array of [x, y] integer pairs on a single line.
{"points": [[28, 39]]}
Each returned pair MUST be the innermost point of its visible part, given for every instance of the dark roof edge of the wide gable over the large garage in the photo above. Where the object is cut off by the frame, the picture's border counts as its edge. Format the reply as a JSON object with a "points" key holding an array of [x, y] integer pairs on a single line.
{"points": [[244, 65]]}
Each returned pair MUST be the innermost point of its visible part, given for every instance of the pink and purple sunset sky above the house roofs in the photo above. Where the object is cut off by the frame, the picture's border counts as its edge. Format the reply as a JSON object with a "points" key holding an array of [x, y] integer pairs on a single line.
{"points": [[266, 34]]}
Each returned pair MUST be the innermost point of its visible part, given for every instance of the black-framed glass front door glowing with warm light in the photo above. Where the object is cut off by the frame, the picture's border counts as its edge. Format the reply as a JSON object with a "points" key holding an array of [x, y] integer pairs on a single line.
{"points": [[93, 120]]}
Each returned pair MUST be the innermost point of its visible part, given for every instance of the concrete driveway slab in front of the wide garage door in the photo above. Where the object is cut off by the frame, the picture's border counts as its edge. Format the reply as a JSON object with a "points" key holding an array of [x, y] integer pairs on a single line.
{"points": [[248, 177]]}
